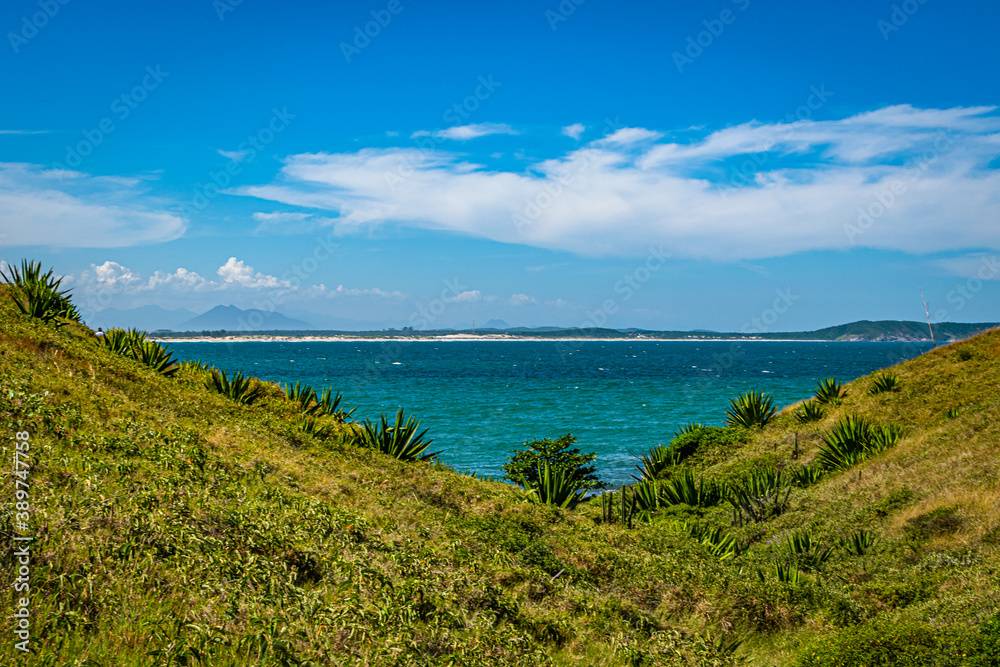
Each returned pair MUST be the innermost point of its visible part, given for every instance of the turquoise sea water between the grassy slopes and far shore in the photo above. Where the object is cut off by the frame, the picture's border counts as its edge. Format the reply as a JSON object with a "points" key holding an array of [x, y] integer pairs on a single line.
{"points": [[481, 398]]}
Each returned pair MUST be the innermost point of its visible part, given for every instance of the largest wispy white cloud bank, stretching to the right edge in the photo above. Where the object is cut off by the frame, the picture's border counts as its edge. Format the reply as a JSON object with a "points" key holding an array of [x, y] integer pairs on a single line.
{"points": [[915, 180]]}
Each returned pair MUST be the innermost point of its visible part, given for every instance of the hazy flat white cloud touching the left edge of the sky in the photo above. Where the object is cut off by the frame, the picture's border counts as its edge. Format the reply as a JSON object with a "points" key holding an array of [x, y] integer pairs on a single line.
{"points": [[68, 209]]}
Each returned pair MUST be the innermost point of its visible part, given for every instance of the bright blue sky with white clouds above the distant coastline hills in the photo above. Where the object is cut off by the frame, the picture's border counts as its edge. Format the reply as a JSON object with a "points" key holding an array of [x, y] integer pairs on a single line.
{"points": [[671, 166]]}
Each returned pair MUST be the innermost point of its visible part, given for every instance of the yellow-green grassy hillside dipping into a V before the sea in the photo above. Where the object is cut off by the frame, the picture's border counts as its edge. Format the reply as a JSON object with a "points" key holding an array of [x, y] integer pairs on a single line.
{"points": [[170, 520]]}
